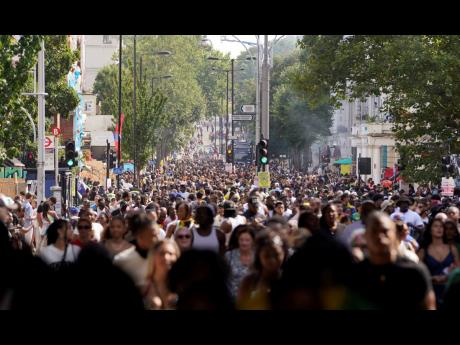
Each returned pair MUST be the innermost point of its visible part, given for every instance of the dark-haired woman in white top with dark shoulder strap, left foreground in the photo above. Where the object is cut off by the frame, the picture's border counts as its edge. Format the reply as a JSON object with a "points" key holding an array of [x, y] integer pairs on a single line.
{"points": [[59, 250]]}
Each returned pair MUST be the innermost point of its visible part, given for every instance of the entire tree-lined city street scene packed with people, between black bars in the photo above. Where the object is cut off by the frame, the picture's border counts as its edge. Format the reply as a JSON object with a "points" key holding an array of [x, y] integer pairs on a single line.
{"points": [[160, 172]]}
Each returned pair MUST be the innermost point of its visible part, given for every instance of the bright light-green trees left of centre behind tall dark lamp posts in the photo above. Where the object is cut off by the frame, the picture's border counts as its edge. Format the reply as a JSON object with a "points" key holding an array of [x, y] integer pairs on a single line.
{"points": [[194, 91]]}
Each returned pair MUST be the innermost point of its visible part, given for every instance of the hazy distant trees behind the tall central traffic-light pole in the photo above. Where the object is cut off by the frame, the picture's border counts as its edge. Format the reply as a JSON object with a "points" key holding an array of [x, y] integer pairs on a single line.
{"points": [[294, 124]]}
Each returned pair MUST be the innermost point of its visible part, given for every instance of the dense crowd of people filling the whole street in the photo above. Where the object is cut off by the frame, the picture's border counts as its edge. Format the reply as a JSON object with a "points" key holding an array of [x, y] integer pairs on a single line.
{"points": [[193, 236]]}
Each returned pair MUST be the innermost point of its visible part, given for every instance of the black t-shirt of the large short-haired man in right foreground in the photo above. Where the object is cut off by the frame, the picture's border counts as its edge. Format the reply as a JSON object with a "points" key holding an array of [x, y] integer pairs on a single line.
{"points": [[402, 285]]}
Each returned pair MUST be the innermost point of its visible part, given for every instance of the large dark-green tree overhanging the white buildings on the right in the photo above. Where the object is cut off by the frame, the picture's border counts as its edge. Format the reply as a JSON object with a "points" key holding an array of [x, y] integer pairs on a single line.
{"points": [[419, 77]]}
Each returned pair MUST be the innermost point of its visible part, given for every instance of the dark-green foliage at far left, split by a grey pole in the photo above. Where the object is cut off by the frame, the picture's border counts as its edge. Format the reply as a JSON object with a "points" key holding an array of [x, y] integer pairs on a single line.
{"points": [[16, 78]]}
